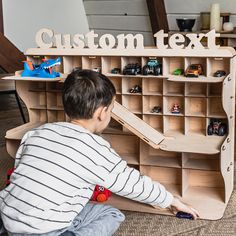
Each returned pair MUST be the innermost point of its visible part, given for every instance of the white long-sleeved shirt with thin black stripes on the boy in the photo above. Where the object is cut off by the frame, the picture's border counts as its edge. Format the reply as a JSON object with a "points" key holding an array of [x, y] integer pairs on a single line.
{"points": [[57, 168]]}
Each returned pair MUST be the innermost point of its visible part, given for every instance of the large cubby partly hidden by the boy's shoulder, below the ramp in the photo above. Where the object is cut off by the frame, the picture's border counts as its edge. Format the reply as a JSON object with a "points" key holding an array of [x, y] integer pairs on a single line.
{"points": [[127, 146]]}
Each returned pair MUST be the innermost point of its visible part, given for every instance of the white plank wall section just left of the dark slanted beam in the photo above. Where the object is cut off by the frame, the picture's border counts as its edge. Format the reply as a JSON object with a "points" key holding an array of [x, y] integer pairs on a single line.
{"points": [[119, 16]]}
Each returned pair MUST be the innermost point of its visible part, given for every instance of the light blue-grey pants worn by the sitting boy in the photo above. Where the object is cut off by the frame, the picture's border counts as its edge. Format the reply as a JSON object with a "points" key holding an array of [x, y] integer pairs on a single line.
{"points": [[94, 219]]}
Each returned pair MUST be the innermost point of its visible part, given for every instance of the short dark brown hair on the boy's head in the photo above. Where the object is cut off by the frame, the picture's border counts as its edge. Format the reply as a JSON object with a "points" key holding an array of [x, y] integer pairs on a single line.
{"points": [[84, 91]]}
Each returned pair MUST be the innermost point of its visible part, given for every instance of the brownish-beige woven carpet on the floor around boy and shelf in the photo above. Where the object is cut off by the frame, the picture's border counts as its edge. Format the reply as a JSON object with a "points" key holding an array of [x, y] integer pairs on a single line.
{"points": [[136, 224]]}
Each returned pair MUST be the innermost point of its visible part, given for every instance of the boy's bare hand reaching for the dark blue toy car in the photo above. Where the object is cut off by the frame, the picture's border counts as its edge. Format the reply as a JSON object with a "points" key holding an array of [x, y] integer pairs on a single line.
{"points": [[177, 205]]}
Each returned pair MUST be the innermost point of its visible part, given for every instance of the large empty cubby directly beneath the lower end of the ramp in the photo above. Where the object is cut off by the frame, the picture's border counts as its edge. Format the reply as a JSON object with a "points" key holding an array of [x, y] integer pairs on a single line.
{"points": [[157, 157]]}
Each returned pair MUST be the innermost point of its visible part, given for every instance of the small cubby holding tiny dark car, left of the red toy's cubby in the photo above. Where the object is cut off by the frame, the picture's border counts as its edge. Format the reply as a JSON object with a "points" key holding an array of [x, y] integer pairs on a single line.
{"points": [[152, 105]]}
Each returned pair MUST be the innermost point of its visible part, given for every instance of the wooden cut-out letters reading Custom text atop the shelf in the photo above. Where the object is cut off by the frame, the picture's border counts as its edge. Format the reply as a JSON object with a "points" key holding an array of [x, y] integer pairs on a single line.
{"points": [[121, 41]]}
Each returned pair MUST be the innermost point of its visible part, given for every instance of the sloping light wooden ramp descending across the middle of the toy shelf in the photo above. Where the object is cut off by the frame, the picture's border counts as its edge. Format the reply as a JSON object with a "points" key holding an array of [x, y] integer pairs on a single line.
{"points": [[136, 125]]}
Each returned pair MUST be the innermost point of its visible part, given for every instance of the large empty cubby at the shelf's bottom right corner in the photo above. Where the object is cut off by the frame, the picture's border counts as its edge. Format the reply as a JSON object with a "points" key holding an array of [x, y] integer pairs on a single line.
{"points": [[203, 183]]}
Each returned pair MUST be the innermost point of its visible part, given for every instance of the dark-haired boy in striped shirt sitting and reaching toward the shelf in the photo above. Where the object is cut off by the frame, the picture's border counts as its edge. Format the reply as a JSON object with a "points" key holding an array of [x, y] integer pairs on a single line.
{"points": [[59, 164]]}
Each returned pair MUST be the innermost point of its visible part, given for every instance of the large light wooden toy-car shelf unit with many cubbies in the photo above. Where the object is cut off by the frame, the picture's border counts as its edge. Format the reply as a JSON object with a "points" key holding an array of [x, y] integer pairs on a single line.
{"points": [[171, 148]]}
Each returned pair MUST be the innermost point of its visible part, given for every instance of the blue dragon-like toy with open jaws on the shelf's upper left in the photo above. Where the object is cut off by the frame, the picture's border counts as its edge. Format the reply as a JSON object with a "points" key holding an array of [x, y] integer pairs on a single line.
{"points": [[43, 70]]}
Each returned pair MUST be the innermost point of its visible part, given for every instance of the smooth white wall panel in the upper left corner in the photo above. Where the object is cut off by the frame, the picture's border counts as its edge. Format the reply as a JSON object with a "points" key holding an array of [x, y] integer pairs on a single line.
{"points": [[23, 18]]}
